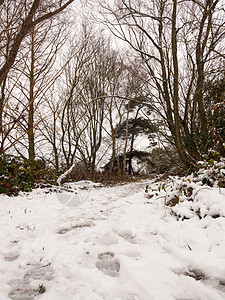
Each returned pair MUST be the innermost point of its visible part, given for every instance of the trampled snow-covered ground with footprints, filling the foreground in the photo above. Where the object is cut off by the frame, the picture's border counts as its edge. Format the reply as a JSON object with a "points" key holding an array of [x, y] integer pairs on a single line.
{"points": [[112, 243]]}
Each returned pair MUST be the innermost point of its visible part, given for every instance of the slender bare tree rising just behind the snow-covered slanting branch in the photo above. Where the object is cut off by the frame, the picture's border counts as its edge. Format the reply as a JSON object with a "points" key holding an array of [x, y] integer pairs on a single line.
{"points": [[72, 119]]}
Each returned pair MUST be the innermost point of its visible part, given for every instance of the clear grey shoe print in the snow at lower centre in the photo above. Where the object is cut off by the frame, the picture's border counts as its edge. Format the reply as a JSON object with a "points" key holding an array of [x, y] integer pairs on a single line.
{"points": [[108, 264]]}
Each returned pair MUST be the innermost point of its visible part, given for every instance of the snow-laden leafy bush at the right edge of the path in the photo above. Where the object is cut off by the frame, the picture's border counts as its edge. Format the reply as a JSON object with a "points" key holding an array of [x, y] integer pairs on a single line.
{"points": [[181, 194]]}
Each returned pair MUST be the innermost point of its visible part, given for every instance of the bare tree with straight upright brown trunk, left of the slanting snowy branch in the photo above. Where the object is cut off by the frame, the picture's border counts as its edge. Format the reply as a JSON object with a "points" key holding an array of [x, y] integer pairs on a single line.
{"points": [[44, 44]]}
